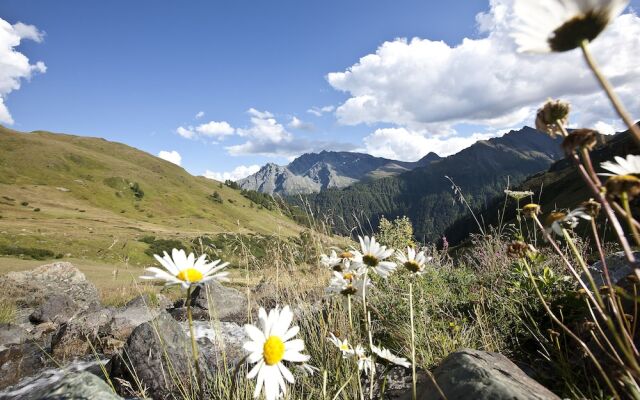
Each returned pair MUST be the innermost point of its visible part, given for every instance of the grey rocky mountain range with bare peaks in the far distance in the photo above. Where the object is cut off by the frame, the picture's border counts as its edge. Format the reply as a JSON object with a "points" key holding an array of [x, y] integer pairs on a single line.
{"points": [[311, 173]]}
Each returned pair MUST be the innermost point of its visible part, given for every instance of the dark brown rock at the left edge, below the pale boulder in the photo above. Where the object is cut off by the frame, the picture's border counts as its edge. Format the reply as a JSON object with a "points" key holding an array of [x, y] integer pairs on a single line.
{"points": [[19, 360]]}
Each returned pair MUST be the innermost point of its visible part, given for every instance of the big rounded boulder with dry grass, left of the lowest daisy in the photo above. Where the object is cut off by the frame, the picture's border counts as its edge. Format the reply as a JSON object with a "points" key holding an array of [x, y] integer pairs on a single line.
{"points": [[158, 355]]}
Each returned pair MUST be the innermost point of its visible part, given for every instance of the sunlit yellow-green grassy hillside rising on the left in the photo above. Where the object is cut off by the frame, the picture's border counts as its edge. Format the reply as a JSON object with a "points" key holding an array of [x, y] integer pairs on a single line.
{"points": [[93, 199]]}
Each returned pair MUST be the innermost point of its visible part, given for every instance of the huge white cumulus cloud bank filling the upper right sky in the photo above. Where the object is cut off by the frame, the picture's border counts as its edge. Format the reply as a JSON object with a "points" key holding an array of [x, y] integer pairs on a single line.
{"points": [[425, 84]]}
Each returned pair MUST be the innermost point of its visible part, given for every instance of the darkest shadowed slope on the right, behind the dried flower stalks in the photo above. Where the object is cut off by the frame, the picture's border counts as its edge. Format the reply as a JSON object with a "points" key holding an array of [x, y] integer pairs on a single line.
{"points": [[559, 187]]}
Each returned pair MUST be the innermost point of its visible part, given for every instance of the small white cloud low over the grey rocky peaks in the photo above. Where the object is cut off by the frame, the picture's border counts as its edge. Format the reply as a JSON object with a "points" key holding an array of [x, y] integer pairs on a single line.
{"points": [[268, 137]]}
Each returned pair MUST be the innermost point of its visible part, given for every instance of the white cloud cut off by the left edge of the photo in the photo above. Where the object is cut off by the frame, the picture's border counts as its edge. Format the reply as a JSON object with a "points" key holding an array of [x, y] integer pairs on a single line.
{"points": [[15, 66]]}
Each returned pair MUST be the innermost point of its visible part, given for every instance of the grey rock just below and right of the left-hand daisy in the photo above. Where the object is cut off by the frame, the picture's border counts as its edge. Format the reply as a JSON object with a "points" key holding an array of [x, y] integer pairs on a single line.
{"points": [[227, 304]]}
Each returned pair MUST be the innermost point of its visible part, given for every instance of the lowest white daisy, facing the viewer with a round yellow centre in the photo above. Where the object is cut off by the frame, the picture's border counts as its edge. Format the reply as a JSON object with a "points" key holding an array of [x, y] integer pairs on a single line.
{"points": [[270, 345]]}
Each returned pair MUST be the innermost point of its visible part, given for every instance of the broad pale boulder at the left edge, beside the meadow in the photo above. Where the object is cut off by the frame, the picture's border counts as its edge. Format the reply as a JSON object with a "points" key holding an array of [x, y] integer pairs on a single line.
{"points": [[32, 288]]}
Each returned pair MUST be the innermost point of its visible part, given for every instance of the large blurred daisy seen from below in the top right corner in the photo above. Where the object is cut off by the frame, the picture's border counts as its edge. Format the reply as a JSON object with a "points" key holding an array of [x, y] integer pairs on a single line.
{"points": [[561, 25]]}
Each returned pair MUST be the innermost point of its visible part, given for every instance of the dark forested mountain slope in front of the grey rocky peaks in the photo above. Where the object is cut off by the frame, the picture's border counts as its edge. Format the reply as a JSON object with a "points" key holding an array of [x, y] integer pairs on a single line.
{"points": [[425, 195]]}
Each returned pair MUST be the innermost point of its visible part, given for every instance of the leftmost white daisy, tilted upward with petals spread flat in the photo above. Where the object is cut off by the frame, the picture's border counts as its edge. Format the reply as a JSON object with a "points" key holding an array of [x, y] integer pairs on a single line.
{"points": [[186, 270]]}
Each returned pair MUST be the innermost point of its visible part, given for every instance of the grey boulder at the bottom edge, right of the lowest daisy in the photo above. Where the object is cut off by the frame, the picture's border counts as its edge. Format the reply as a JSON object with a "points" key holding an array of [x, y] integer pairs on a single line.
{"points": [[479, 375]]}
